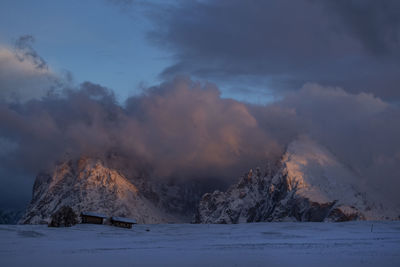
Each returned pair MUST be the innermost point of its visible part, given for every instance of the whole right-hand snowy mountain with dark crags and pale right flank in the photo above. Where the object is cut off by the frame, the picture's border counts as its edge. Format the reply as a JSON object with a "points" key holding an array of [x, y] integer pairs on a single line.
{"points": [[308, 184]]}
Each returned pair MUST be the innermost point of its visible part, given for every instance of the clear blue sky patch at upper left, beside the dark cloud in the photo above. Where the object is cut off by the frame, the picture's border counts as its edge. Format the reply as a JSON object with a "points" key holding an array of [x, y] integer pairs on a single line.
{"points": [[94, 40]]}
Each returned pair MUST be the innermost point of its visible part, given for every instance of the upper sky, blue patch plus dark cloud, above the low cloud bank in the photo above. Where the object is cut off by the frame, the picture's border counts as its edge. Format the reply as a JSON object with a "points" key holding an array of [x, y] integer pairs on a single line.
{"points": [[250, 49]]}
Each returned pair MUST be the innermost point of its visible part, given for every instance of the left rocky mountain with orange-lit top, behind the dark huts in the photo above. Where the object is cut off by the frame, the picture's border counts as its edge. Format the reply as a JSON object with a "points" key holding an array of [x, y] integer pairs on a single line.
{"points": [[87, 185]]}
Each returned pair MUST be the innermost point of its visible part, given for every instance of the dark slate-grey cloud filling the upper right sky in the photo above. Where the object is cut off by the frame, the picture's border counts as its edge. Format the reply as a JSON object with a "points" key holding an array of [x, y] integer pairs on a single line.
{"points": [[283, 44]]}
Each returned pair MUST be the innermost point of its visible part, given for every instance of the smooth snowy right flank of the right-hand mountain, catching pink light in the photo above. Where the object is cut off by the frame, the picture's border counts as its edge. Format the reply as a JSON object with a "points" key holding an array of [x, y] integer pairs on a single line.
{"points": [[320, 177]]}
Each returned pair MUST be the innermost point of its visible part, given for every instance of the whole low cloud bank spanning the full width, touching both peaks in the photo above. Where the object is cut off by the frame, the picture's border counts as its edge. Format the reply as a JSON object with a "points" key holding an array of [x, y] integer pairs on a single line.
{"points": [[185, 129]]}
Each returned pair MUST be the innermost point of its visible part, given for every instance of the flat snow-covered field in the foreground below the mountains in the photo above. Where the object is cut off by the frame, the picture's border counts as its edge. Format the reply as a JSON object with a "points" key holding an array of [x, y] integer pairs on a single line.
{"points": [[256, 244]]}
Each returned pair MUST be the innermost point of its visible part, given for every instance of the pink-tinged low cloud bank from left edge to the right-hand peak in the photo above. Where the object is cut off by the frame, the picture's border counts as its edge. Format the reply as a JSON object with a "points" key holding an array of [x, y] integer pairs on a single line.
{"points": [[180, 129]]}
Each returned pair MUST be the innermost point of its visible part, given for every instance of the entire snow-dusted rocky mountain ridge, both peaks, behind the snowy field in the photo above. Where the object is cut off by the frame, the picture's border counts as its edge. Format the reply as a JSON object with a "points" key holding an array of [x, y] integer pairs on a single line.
{"points": [[307, 184]]}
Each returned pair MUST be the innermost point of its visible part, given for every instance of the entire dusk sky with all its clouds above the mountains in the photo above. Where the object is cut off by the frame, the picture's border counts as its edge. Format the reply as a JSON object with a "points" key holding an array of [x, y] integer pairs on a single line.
{"points": [[197, 88]]}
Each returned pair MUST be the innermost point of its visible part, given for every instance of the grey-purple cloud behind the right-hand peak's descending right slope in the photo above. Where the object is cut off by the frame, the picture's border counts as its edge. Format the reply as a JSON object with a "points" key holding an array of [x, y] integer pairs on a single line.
{"points": [[360, 129]]}
